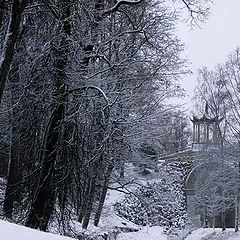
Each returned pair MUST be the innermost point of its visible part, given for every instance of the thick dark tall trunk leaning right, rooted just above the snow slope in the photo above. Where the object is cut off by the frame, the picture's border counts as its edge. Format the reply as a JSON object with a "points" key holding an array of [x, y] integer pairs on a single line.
{"points": [[43, 204]]}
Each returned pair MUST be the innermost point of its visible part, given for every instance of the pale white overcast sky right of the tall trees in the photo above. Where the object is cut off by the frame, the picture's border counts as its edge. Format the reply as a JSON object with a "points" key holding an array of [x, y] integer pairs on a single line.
{"points": [[211, 44]]}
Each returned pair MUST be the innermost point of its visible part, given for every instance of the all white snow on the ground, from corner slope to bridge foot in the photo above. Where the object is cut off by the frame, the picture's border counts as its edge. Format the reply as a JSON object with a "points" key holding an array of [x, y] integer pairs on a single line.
{"points": [[111, 222]]}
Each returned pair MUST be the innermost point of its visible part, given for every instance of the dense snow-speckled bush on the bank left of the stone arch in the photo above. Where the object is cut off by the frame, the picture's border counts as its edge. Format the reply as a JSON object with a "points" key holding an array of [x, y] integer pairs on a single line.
{"points": [[160, 202]]}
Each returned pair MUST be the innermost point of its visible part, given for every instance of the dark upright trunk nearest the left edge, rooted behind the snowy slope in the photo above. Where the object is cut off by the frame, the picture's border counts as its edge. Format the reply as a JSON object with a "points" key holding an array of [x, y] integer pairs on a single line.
{"points": [[14, 186]]}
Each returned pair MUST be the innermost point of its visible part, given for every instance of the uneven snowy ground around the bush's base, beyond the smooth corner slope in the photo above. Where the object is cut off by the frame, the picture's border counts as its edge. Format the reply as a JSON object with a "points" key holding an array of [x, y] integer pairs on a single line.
{"points": [[110, 220]]}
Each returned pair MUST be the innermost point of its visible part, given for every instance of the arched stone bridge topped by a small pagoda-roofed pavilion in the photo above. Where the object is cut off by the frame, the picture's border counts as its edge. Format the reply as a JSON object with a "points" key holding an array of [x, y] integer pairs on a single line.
{"points": [[205, 156]]}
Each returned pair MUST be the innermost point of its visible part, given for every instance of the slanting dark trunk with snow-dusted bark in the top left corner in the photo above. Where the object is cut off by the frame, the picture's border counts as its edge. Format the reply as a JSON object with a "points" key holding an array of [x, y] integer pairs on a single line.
{"points": [[10, 41]]}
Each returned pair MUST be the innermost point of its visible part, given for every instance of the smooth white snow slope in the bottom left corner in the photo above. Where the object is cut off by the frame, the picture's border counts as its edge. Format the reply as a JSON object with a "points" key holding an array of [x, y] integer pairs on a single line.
{"points": [[10, 231]]}
